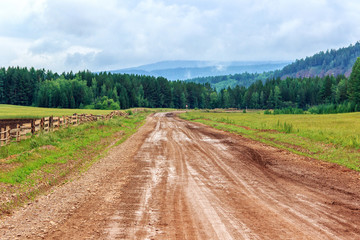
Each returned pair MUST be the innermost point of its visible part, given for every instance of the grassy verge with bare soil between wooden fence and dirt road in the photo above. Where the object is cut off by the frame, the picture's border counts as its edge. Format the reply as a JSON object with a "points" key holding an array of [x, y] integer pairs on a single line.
{"points": [[32, 166]]}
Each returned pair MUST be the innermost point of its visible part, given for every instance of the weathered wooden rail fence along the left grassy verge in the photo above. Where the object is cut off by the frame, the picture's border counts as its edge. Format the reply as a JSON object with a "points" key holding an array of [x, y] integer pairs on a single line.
{"points": [[23, 131]]}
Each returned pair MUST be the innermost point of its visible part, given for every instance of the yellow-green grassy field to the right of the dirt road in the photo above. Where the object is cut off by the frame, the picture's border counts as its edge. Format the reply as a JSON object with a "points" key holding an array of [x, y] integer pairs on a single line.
{"points": [[333, 137]]}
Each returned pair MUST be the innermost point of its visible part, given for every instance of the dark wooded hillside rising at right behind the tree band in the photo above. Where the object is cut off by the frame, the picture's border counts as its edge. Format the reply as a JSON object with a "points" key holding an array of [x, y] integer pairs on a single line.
{"points": [[333, 62]]}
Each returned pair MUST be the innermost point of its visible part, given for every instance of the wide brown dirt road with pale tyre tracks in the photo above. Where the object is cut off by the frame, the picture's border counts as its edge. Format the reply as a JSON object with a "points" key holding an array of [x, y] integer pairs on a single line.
{"points": [[180, 180]]}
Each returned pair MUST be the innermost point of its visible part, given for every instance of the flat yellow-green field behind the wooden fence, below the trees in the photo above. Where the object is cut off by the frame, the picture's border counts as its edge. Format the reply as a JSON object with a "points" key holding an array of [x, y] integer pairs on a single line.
{"points": [[12, 111]]}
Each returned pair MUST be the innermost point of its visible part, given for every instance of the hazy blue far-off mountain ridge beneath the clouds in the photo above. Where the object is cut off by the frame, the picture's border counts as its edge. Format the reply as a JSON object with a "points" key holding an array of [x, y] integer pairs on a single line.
{"points": [[182, 70]]}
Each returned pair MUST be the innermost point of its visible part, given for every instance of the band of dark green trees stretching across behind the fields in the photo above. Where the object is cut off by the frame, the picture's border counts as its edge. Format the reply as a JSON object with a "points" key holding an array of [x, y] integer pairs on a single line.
{"points": [[30, 87]]}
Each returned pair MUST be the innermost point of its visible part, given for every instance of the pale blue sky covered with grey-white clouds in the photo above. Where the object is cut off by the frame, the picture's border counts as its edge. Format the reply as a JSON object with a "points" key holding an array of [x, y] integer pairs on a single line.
{"points": [[65, 35]]}
